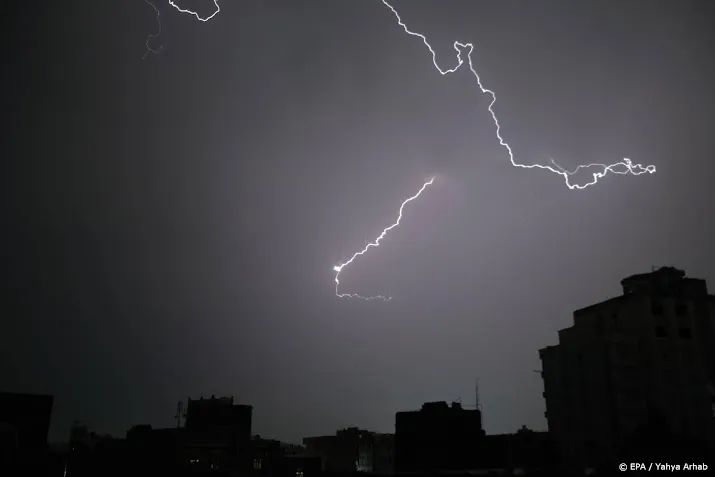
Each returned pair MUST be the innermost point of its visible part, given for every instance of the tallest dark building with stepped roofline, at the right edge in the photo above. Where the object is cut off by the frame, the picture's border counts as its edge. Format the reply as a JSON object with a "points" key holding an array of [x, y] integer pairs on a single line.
{"points": [[642, 363]]}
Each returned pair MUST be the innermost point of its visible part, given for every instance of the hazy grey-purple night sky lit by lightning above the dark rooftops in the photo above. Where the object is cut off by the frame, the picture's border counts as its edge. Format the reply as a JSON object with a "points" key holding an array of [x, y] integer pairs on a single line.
{"points": [[172, 223]]}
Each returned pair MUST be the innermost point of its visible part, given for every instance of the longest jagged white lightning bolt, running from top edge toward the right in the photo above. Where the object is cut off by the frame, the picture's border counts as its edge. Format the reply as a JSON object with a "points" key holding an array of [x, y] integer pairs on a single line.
{"points": [[623, 167]]}
